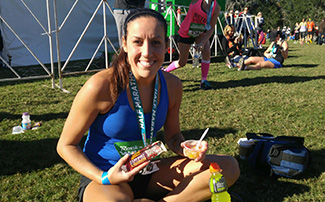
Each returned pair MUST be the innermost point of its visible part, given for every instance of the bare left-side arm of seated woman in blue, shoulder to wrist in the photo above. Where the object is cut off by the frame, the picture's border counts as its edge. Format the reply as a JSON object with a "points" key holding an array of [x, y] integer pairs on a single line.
{"points": [[87, 104]]}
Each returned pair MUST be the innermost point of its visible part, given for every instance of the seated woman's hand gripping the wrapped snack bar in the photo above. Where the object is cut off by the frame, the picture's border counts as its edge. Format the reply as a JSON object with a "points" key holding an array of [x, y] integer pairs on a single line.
{"points": [[117, 175]]}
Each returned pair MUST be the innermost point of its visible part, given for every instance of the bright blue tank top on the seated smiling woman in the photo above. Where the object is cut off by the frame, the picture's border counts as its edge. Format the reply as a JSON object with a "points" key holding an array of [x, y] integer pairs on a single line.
{"points": [[120, 125]]}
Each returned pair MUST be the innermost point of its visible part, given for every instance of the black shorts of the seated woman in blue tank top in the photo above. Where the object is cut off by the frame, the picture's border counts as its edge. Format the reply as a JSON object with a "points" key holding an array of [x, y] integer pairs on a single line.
{"points": [[138, 185]]}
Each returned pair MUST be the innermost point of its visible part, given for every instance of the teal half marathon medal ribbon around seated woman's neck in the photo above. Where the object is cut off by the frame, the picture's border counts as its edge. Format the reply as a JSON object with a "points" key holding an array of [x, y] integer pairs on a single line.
{"points": [[139, 109]]}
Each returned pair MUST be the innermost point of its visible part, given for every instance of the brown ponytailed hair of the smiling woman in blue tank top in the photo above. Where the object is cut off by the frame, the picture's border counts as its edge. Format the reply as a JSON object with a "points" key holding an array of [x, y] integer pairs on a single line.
{"points": [[120, 65]]}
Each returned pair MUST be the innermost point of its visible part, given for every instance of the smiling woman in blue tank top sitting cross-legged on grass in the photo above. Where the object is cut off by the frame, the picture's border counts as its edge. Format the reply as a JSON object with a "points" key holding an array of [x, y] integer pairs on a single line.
{"points": [[122, 108]]}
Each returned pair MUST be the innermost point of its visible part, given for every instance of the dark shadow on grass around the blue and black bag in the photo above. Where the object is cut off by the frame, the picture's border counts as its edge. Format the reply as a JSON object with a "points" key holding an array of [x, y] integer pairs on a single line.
{"points": [[256, 185]]}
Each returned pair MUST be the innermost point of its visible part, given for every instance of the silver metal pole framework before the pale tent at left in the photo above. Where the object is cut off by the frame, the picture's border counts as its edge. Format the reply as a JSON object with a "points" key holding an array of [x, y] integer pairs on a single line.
{"points": [[55, 34]]}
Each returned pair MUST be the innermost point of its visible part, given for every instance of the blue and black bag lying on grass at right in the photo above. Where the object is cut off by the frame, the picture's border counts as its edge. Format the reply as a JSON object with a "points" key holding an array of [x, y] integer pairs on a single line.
{"points": [[282, 155]]}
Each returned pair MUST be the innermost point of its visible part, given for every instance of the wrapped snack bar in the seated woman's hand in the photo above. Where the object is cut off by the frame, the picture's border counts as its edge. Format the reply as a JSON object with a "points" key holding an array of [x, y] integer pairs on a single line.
{"points": [[143, 155]]}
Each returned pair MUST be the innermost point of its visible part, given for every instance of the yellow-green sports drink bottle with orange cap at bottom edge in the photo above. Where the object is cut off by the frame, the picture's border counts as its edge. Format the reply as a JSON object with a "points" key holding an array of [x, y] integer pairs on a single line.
{"points": [[218, 186]]}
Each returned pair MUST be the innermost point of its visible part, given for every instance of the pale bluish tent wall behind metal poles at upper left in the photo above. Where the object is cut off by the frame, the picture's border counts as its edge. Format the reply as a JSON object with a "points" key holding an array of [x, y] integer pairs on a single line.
{"points": [[18, 14]]}
